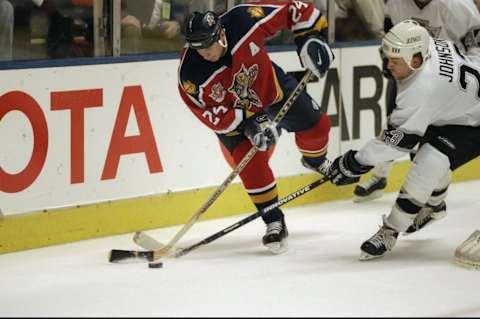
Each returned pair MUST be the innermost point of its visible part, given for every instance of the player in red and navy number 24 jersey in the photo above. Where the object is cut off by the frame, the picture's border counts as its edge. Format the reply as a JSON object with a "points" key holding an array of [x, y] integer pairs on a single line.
{"points": [[228, 81]]}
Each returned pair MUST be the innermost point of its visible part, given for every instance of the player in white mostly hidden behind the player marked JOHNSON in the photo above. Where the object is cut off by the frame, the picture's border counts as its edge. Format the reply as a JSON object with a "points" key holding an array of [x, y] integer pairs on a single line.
{"points": [[454, 20]]}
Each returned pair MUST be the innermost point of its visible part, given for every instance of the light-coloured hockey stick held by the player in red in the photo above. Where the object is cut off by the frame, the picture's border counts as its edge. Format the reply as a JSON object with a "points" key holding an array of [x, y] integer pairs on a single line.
{"points": [[157, 254]]}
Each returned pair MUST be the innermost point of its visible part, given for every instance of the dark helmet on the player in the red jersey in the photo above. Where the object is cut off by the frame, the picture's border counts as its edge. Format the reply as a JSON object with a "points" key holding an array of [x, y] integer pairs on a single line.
{"points": [[202, 29]]}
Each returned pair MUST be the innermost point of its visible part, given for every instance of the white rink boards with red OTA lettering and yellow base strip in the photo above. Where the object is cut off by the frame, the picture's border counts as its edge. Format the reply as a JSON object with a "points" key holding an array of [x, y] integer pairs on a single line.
{"points": [[97, 150]]}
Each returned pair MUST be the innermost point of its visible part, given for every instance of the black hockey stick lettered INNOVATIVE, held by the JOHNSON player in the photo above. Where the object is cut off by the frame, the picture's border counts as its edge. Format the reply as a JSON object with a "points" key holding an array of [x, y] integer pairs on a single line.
{"points": [[117, 255]]}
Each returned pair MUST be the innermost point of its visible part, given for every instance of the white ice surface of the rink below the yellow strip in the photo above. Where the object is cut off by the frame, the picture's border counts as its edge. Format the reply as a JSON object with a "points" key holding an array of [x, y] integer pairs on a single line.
{"points": [[320, 275]]}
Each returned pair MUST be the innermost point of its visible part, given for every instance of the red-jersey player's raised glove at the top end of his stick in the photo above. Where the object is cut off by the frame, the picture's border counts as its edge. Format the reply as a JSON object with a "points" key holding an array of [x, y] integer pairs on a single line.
{"points": [[315, 55]]}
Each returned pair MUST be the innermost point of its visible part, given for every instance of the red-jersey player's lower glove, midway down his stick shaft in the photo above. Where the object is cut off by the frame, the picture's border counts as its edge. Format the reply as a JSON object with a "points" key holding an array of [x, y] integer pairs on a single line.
{"points": [[261, 131]]}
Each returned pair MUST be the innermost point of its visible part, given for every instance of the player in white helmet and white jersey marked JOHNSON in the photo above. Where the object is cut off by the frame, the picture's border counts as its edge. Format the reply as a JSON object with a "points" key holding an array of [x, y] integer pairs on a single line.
{"points": [[438, 108]]}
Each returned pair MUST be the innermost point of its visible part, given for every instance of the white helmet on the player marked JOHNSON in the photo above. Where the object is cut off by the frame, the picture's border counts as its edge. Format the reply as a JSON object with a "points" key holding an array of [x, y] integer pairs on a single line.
{"points": [[406, 39]]}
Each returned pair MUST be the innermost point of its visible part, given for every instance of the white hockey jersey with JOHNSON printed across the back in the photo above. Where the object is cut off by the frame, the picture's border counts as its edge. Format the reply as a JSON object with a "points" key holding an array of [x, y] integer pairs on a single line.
{"points": [[445, 91]]}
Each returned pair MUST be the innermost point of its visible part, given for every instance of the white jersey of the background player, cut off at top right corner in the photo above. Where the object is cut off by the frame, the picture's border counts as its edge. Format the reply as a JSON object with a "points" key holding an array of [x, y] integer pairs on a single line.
{"points": [[454, 20]]}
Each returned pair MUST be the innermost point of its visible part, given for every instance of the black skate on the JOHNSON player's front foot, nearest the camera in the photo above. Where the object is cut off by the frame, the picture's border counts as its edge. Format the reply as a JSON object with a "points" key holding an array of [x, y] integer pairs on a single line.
{"points": [[380, 243]]}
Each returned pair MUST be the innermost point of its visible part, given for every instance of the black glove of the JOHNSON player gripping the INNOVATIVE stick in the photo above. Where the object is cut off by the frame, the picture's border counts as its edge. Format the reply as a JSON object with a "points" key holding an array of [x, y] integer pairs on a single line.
{"points": [[346, 170]]}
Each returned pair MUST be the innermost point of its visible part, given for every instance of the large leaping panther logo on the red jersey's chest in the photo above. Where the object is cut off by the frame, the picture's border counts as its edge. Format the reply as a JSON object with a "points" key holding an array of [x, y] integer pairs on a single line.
{"points": [[242, 88]]}
